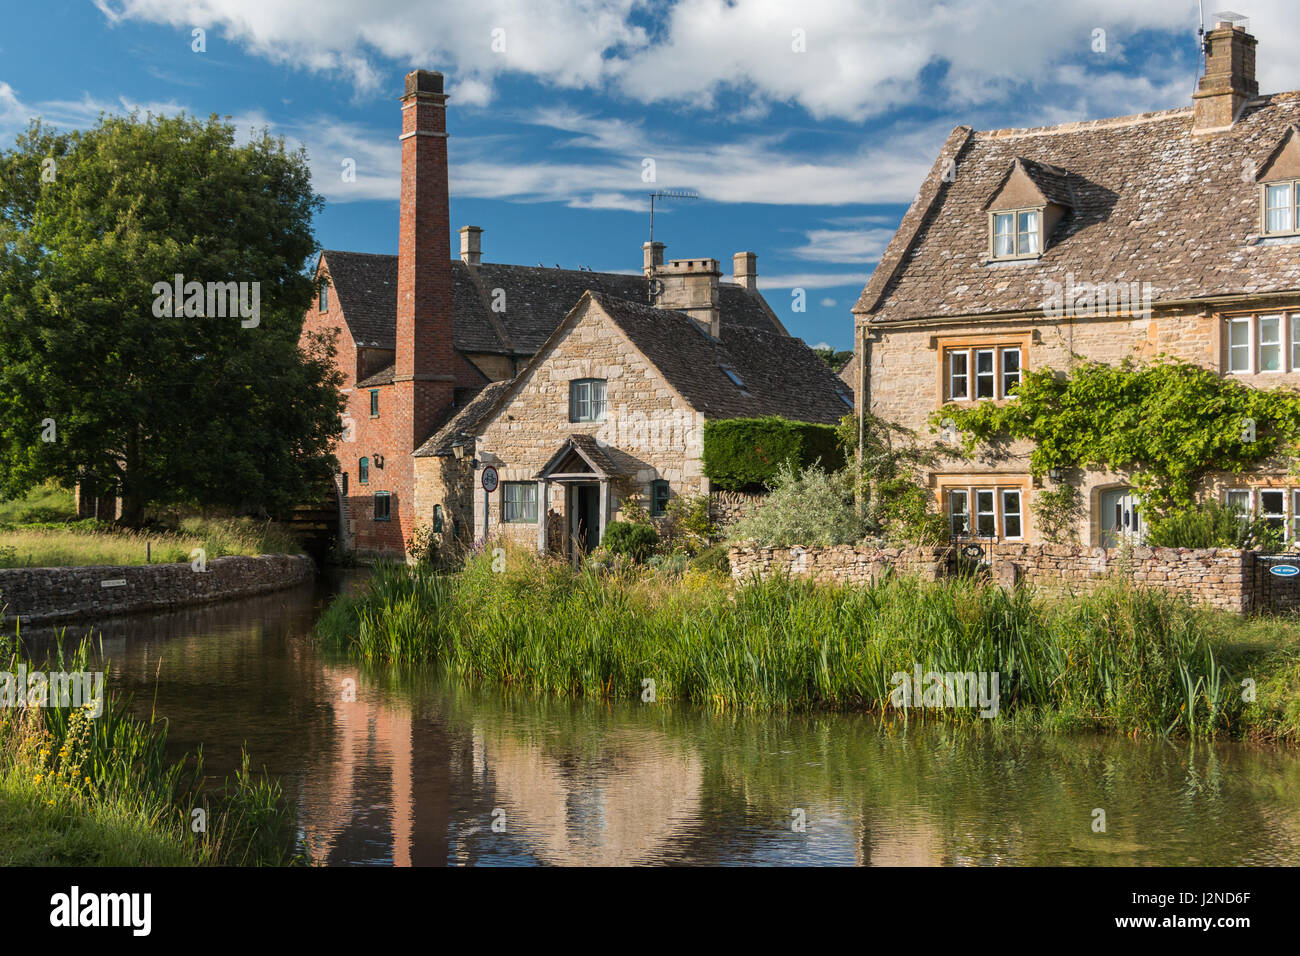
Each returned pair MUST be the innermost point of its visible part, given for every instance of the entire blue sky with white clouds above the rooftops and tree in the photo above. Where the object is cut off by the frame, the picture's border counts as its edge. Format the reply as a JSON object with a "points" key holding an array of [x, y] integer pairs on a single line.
{"points": [[807, 128]]}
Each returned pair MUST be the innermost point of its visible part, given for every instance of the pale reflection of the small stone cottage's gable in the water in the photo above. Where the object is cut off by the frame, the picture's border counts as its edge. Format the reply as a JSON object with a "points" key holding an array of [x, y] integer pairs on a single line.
{"points": [[626, 804]]}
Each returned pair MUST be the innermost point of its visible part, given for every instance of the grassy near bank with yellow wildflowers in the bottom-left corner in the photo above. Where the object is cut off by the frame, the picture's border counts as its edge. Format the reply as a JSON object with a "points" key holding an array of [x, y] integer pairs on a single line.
{"points": [[99, 791]]}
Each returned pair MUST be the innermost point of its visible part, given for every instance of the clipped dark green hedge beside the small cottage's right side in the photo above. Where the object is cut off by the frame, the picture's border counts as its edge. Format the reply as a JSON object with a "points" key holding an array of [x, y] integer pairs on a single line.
{"points": [[744, 455]]}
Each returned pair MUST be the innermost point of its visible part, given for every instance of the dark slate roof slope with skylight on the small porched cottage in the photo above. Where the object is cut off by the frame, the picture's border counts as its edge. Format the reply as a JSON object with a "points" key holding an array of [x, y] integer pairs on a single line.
{"points": [[781, 374]]}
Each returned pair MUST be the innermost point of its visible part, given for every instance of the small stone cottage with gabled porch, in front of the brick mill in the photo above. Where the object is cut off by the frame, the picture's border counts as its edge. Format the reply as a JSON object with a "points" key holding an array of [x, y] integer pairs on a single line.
{"points": [[610, 412]]}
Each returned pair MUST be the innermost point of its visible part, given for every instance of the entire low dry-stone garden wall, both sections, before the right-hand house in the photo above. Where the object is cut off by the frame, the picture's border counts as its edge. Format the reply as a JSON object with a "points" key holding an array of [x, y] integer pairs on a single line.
{"points": [[1217, 577]]}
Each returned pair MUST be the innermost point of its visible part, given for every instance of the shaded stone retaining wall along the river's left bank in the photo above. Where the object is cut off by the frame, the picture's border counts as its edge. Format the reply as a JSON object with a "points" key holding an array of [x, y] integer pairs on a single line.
{"points": [[49, 595]]}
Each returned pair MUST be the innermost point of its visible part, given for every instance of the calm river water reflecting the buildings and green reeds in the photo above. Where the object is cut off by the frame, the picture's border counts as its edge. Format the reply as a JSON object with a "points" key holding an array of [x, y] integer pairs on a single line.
{"points": [[422, 771]]}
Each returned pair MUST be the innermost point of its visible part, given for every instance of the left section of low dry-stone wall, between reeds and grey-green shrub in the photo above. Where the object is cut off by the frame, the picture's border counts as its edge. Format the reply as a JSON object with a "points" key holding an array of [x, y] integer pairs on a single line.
{"points": [[839, 565]]}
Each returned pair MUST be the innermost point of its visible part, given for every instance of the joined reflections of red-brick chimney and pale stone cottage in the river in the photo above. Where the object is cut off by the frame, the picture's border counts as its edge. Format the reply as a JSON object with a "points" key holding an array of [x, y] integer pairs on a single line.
{"points": [[413, 789]]}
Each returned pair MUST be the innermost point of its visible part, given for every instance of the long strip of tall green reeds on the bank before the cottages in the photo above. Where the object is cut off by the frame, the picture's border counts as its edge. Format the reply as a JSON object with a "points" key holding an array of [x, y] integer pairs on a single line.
{"points": [[1124, 660]]}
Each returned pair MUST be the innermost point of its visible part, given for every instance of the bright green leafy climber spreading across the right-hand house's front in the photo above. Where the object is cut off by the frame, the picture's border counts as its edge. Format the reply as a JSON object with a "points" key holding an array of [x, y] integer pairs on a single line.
{"points": [[1167, 425]]}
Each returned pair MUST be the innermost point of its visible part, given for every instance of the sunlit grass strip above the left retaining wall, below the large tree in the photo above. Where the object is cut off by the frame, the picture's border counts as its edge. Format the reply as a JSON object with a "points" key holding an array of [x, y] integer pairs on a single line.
{"points": [[47, 544]]}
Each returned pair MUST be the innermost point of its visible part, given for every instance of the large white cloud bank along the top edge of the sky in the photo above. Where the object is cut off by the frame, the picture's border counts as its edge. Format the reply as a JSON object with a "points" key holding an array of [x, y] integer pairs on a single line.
{"points": [[863, 57]]}
